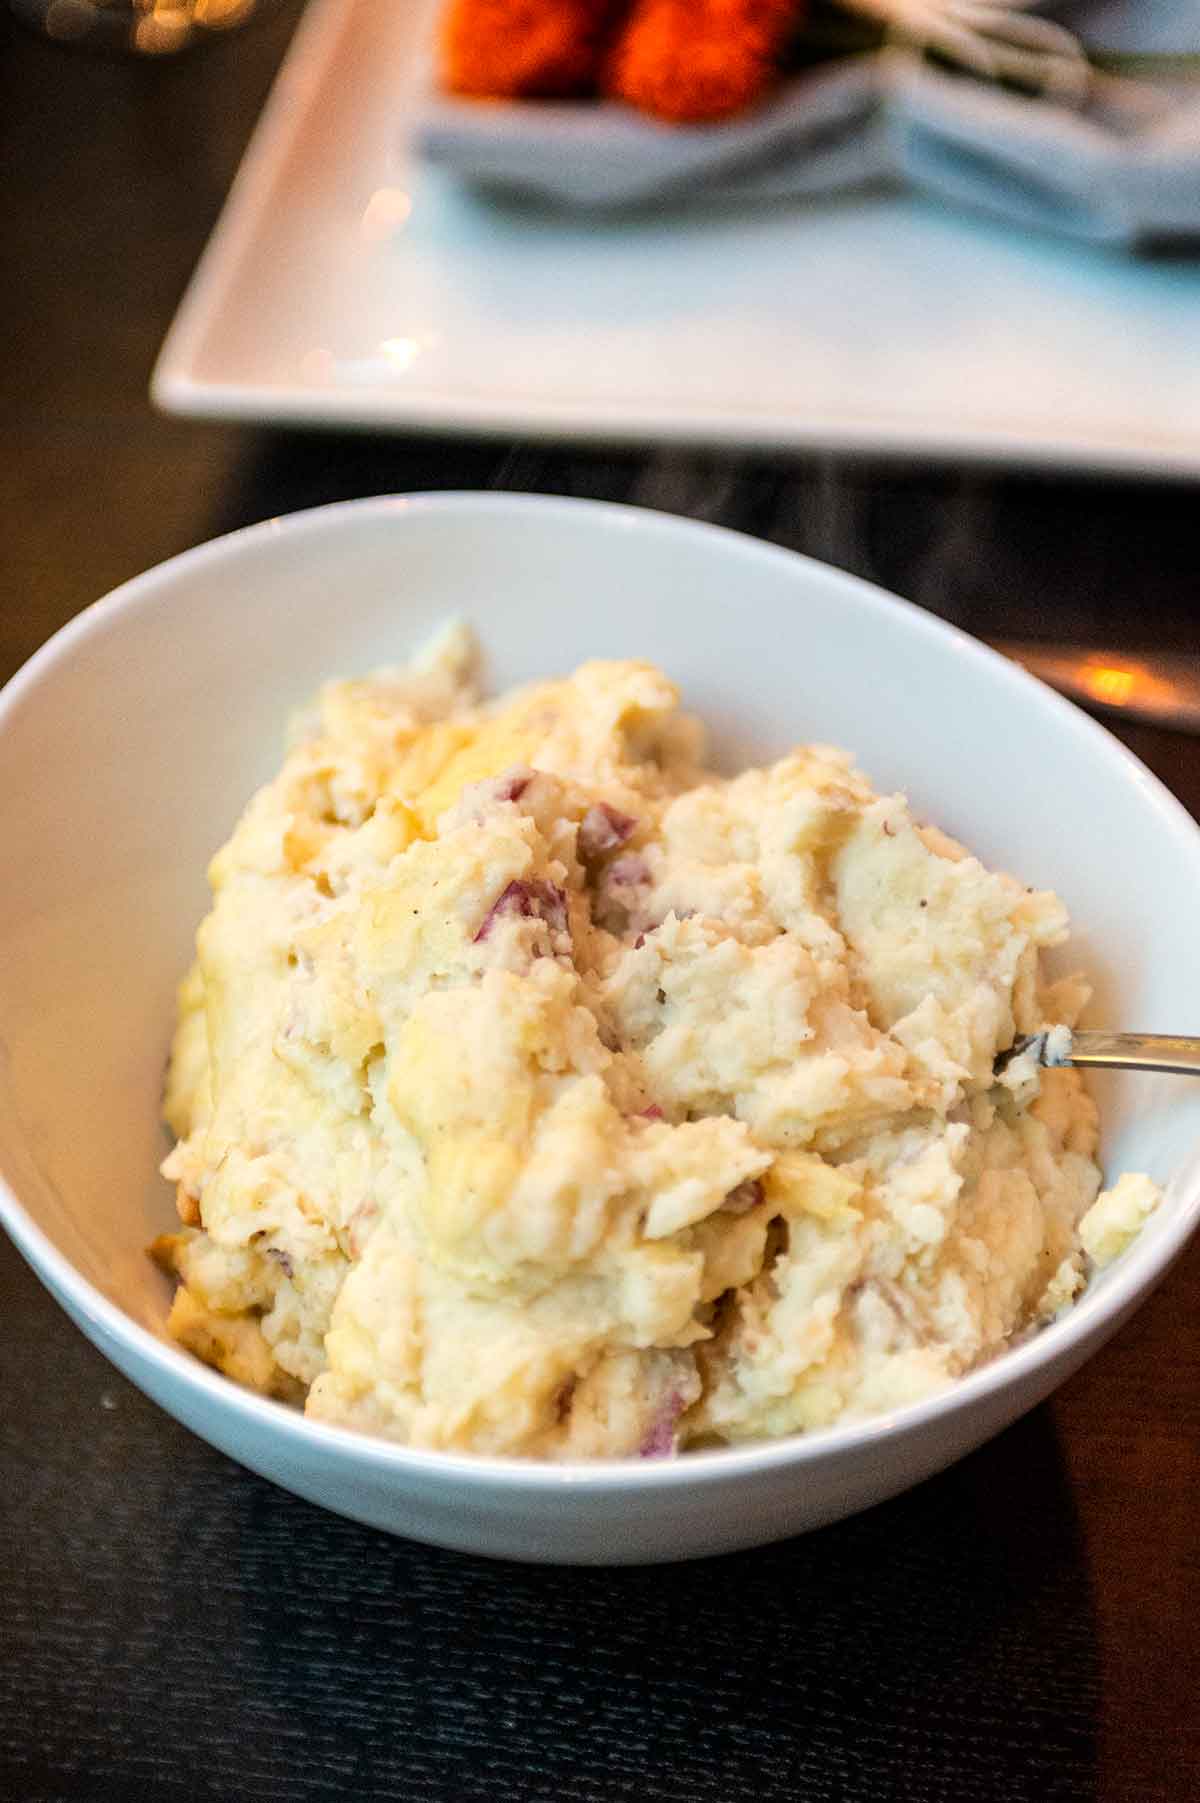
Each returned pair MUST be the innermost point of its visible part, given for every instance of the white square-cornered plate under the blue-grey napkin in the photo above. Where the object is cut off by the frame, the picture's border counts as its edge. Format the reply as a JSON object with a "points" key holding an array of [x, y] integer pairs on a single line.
{"points": [[349, 286]]}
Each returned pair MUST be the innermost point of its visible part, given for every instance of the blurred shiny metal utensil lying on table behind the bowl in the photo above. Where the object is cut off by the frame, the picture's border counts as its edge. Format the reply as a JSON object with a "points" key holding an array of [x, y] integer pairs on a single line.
{"points": [[1156, 686]]}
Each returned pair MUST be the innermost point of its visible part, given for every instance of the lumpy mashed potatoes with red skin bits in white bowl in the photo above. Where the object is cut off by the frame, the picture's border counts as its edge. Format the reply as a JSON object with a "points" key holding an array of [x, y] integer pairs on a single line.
{"points": [[540, 1092]]}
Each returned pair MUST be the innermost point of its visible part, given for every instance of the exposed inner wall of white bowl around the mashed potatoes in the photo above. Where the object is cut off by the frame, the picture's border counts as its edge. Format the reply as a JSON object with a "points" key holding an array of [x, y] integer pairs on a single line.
{"points": [[134, 740]]}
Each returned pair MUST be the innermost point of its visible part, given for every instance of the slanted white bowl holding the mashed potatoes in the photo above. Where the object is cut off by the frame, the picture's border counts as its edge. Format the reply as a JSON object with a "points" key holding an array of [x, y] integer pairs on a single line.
{"points": [[131, 742]]}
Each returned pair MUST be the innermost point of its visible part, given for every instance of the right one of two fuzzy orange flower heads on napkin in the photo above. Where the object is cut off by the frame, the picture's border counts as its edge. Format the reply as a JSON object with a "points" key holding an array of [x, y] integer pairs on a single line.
{"points": [[696, 60]]}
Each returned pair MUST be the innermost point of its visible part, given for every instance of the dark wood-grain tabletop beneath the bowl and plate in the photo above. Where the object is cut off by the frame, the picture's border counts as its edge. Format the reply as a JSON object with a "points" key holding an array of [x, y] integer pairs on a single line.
{"points": [[1026, 1627]]}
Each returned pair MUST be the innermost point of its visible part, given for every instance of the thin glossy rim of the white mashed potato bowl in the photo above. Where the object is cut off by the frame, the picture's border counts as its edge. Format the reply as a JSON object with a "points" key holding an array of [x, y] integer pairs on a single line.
{"points": [[1098, 1312]]}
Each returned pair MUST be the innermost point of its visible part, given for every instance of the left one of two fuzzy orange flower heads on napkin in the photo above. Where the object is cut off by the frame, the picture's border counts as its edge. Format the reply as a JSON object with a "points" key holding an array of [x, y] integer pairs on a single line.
{"points": [[525, 48]]}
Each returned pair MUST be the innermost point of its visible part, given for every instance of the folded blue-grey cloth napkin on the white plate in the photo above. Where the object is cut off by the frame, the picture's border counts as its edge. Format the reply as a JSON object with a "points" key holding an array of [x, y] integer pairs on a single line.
{"points": [[1122, 167]]}
